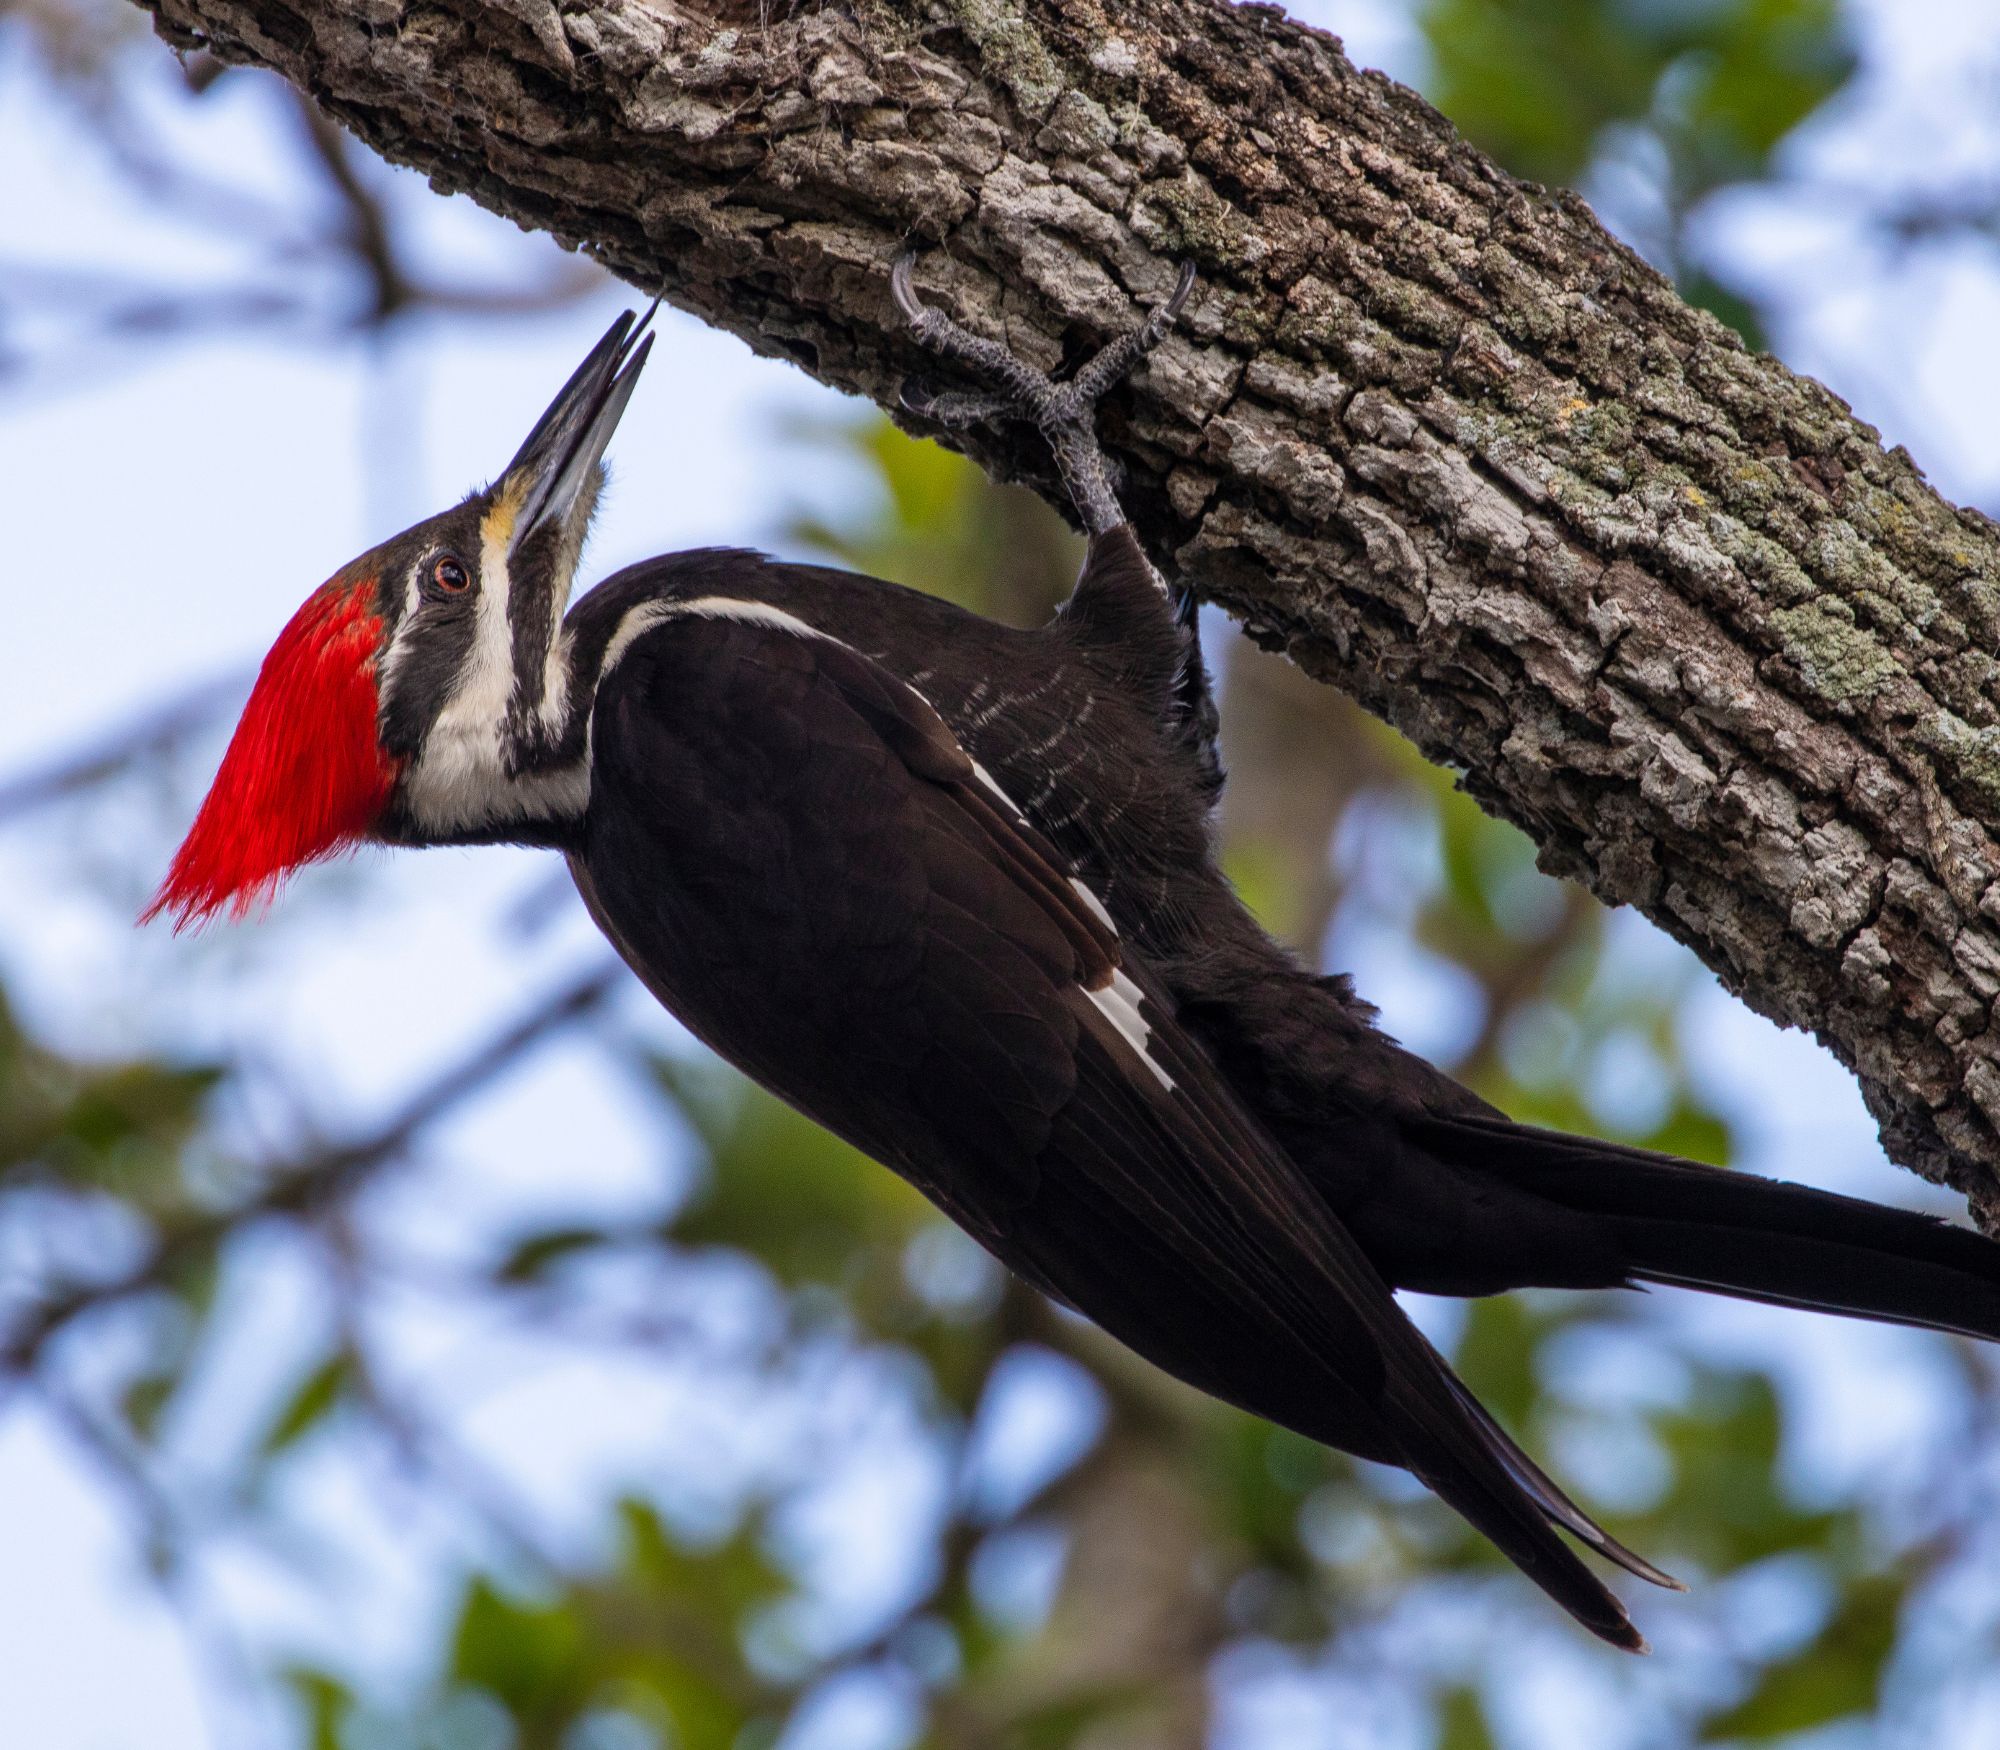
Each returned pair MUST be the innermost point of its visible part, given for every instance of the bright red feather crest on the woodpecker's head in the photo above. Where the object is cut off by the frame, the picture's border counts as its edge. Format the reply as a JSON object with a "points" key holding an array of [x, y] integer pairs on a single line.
{"points": [[305, 773]]}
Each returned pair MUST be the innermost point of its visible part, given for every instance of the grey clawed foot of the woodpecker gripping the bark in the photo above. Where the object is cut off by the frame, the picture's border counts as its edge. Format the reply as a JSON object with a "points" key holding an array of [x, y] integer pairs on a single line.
{"points": [[1063, 413]]}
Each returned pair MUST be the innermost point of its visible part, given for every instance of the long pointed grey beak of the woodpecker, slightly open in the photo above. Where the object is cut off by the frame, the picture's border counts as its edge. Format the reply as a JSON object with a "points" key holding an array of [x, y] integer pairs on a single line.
{"points": [[553, 481]]}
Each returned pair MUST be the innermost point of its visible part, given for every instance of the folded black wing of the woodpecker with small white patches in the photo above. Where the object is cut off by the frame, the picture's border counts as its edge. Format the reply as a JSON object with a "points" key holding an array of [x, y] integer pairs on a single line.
{"points": [[793, 851]]}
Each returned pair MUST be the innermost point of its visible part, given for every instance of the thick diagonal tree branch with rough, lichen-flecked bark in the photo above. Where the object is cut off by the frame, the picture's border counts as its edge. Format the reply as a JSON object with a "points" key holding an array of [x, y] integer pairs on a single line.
{"points": [[1667, 605]]}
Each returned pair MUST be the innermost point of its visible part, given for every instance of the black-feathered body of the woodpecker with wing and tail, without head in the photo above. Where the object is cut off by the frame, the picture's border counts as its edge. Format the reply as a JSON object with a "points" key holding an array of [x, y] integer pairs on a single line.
{"points": [[789, 843]]}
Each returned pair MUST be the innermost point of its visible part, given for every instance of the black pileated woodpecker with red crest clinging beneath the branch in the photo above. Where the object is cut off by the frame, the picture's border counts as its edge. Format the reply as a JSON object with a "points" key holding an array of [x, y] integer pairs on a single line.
{"points": [[949, 889]]}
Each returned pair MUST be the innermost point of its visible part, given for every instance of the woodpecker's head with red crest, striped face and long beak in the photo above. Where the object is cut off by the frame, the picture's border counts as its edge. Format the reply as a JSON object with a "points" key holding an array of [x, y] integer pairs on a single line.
{"points": [[421, 695]]}
